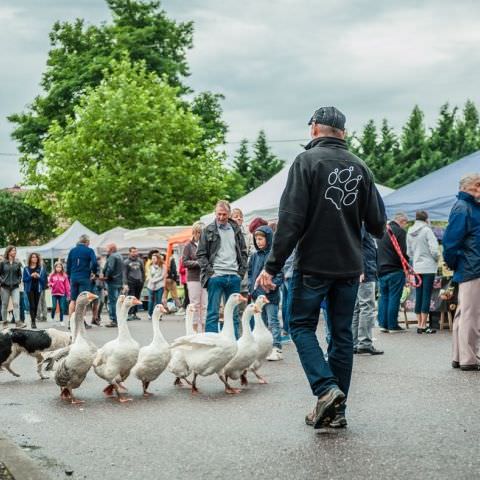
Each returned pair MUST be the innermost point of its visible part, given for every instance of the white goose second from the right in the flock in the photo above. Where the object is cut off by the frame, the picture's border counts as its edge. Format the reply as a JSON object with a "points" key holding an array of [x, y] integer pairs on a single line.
{"points": [[246, 351]]}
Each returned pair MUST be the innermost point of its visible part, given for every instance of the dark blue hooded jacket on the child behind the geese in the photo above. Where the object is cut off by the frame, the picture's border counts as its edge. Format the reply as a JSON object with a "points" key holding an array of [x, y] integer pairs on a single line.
{"points": [[256, 265]]}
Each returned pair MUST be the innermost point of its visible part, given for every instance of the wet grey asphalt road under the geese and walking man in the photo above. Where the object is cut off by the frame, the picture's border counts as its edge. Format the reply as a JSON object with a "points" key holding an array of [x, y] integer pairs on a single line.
{"points": [[410, 417]]}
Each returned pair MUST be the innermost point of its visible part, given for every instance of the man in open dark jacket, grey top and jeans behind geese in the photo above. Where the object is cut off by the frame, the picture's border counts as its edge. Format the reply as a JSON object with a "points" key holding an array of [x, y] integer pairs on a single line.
{"points": [[222, 256]]}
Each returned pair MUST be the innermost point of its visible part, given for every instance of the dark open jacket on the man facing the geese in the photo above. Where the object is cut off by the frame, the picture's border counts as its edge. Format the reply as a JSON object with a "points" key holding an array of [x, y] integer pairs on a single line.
{"points": [[209, 245]]}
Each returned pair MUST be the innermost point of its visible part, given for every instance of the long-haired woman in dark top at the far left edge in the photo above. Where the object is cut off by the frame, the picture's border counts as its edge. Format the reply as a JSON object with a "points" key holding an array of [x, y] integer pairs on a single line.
{"points": [[10, 279]]}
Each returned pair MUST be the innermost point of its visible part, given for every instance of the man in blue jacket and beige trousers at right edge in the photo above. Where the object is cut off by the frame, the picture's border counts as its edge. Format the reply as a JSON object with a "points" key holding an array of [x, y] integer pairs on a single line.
{"points": [[461, 250]]}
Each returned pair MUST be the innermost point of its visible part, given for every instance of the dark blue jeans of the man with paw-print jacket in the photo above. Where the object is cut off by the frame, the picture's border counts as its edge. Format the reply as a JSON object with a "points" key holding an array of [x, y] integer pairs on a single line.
{"points": [[308, 292]]}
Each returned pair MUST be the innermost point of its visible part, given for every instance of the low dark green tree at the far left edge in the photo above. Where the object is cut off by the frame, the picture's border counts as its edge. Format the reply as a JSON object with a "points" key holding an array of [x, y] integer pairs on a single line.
{"points": [[21, 223]]}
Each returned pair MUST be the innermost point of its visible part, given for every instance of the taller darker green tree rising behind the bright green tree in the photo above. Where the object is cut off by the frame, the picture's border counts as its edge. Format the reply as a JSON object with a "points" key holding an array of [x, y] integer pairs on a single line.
{"points": [[80, 55]]}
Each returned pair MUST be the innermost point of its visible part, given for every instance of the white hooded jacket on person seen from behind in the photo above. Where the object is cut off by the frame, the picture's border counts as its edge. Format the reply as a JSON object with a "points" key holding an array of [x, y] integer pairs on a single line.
{"points": [[422, 248]]}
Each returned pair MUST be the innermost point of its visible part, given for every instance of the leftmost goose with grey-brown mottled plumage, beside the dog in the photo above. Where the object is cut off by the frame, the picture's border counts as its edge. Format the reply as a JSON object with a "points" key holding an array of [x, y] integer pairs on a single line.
{"points": [[74, 366]]}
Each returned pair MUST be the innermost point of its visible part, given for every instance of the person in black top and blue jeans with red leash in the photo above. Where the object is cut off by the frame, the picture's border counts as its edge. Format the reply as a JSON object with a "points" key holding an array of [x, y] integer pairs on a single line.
{"points": [[391, 278]]}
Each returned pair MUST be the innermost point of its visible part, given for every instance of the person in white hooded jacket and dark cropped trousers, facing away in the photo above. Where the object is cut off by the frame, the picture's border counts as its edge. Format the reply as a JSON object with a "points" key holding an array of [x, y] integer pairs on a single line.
{"points": [[422, 248]]}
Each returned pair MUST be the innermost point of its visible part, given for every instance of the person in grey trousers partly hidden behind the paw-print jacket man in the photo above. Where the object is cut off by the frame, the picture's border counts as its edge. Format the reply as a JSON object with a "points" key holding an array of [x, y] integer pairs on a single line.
{"points": [[364, 313]]}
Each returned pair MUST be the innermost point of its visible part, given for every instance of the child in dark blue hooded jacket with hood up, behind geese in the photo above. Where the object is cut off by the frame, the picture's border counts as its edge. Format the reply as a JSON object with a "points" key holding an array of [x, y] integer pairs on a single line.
{"points": [[262, 240]]}
